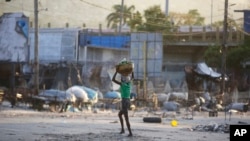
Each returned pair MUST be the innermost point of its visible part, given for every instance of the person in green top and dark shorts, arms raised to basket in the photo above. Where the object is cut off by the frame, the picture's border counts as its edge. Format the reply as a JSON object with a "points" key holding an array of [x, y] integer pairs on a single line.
{"points": [[125, 89]]}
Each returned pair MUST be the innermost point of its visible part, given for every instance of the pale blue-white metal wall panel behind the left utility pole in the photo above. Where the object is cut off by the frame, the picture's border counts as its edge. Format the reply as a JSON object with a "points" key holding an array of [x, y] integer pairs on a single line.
{"points": [[56, 45]]}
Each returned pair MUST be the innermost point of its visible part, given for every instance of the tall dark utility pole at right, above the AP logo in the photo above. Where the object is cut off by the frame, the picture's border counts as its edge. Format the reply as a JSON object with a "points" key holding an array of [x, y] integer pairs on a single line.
{"points": [[224, 49]]}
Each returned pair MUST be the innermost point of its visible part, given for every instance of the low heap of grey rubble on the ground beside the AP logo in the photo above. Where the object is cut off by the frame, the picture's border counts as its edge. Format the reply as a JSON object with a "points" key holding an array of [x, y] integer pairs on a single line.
{"points": [[213, 127]]}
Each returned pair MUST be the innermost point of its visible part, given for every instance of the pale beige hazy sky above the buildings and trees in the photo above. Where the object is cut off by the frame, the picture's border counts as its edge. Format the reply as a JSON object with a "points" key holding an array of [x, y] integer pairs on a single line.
{"points": [[94, 12]]}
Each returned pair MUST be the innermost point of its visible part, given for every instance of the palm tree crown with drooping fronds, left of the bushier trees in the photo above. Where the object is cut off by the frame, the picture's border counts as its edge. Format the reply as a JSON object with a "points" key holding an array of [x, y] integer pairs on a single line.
{"points": [[114, 17]]}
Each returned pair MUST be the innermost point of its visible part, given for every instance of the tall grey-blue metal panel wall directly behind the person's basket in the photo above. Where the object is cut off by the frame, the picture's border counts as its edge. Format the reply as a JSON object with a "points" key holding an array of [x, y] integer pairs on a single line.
{"points": [[146, 53]]}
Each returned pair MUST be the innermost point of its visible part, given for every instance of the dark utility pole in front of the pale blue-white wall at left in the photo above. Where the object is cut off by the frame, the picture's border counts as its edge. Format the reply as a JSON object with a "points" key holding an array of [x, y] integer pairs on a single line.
{"points": [[36, 47]]}
